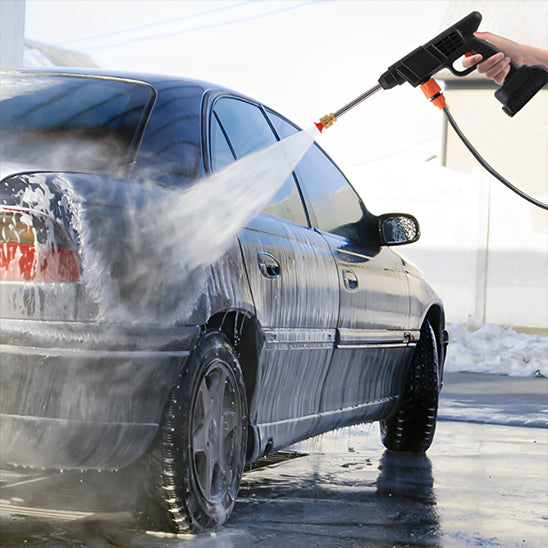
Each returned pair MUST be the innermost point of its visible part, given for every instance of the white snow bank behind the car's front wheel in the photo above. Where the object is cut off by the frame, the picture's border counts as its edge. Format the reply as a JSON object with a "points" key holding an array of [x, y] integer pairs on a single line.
{"points": [[478, 347]]}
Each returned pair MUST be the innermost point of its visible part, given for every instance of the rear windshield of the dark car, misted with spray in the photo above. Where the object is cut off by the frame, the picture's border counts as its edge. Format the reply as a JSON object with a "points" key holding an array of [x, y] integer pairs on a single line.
{"points": [[71, 123]]}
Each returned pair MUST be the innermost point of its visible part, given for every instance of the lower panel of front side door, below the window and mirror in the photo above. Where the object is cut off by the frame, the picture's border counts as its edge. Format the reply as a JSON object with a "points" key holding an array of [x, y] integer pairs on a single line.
{"points": [[373, 320]]}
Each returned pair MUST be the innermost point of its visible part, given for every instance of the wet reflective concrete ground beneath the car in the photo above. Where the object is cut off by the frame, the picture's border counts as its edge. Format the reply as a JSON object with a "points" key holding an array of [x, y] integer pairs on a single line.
{"points": [[484, 482]]}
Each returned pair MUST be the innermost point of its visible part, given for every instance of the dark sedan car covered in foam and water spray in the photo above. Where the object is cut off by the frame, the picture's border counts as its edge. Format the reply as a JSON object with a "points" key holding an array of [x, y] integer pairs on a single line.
{"points": [[119, 350]]}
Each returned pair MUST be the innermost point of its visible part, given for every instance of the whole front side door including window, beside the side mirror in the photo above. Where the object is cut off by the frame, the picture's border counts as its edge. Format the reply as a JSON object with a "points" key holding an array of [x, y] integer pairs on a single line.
{"points": [[373, 325]]}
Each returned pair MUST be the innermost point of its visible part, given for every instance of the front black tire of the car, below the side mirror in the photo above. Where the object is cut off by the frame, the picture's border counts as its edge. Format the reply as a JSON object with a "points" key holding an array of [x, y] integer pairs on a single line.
{"points": [[412, 427]]}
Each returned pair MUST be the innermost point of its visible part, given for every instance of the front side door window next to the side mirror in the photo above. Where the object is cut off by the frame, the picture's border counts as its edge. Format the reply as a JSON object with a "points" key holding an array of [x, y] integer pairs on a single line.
{"points": [[335, 204]]}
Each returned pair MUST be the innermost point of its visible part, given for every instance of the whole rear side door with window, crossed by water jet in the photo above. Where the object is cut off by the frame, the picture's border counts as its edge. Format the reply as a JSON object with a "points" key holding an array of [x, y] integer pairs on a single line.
{"points": [[293, 281]]}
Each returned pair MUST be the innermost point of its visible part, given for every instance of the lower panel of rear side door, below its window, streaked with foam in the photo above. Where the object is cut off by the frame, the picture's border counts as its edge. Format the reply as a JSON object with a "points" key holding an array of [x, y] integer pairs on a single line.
{"points": [[296, 301]]}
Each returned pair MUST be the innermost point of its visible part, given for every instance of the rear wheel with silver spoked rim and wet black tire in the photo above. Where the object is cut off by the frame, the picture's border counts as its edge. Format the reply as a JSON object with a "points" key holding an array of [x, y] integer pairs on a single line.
{"points": [[196, 462]]}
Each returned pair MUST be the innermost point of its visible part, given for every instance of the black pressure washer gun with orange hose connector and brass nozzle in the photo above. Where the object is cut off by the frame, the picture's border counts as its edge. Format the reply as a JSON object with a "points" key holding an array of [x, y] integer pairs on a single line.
{"points": [[418, 67]]}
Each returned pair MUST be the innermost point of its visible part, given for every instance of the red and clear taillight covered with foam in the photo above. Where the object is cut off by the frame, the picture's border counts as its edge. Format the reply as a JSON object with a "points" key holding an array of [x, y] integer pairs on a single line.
{"points": [[33, 247]]}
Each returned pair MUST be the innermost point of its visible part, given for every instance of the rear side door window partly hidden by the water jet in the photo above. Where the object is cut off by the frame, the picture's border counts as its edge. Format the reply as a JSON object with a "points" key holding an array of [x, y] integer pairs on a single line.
{"points": [[244, 129]]}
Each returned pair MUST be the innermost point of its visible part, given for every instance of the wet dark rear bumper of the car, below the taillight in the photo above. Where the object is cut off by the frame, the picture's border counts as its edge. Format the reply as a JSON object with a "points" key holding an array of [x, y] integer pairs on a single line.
{"points": [[84, 395]]}
